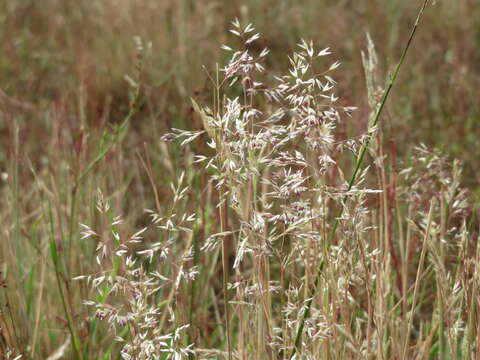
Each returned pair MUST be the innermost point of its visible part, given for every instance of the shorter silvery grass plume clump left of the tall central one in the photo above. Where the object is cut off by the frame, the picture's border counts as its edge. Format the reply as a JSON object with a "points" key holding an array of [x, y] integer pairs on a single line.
{"points": [[130, 282]]}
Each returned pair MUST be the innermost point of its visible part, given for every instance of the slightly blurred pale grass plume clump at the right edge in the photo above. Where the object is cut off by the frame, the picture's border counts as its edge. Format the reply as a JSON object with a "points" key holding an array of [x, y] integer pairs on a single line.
{"points": [[451, 248]]}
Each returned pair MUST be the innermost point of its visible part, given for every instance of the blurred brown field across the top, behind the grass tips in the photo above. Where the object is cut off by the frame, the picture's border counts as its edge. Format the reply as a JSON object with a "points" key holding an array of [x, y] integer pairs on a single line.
{"points": [[65, 61]]}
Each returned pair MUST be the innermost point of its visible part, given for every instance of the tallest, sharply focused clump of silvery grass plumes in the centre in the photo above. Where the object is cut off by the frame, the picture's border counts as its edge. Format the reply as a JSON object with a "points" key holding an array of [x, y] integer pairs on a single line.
{"points": [[275, 166]]}
